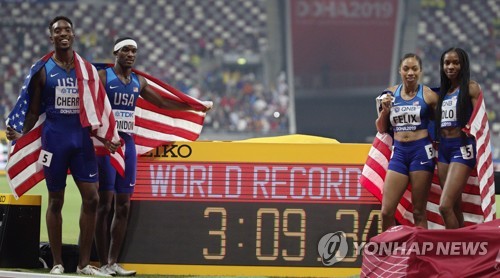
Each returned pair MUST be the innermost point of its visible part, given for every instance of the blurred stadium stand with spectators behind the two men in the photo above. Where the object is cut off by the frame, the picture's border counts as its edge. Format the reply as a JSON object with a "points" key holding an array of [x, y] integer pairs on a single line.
{"points": [[184, 43]]}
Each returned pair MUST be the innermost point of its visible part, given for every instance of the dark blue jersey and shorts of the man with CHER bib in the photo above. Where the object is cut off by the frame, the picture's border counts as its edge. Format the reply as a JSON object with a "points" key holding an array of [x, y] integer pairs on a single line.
{"points": [[65, 143]]}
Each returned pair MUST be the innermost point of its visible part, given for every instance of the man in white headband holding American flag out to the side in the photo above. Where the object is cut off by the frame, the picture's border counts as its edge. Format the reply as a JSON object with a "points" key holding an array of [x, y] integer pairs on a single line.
{"points": [[150, 113]]}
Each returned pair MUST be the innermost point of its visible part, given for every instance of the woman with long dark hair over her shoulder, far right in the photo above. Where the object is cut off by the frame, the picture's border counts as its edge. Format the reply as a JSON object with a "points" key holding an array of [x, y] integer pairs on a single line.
{"points": [[457, 151]]}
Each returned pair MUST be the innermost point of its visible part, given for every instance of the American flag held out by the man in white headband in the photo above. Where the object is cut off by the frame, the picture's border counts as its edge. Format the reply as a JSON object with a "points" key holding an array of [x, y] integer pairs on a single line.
{"points": [[155, 126]]}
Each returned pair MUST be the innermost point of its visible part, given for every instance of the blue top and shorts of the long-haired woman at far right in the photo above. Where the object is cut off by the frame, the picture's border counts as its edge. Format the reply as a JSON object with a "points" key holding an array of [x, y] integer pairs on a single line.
{"points": [[461, 150]]}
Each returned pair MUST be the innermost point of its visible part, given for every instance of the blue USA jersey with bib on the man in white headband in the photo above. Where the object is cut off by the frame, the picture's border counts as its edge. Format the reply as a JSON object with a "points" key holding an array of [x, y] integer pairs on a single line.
{"points": [[123, 98]]}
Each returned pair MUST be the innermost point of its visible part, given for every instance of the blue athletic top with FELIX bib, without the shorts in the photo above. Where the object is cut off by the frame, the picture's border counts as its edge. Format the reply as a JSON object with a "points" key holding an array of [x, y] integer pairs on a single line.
{"points": [[409, 115]]}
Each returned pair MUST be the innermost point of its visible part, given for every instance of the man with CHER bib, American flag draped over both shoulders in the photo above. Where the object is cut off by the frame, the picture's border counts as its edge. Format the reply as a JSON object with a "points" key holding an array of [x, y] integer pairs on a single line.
{"points": [[62, 104]]}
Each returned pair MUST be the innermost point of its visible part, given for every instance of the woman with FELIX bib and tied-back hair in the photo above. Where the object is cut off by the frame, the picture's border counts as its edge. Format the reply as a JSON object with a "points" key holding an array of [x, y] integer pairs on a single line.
{"points": [[406, 110]]}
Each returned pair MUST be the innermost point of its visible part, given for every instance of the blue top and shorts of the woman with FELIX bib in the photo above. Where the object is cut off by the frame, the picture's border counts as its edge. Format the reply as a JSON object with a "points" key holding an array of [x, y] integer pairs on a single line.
{"points": [[411, 115]]}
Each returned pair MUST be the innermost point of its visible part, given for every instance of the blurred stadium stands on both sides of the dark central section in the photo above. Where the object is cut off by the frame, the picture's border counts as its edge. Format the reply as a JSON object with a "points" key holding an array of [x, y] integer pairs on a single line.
{"points": [[190, 44]]}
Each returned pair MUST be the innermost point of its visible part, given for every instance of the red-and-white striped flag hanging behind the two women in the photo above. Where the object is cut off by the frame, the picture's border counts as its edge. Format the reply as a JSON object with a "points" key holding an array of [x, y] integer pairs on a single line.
{"points": [[478, 197]]}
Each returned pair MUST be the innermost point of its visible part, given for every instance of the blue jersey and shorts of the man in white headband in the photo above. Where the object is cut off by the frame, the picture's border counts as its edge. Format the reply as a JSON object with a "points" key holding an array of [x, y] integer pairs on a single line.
{"points": [[123, 98]]}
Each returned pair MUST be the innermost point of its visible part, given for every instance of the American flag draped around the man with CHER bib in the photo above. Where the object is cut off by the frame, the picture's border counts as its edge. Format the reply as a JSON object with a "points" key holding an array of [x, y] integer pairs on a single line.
{"points": [[23, 170]]}
